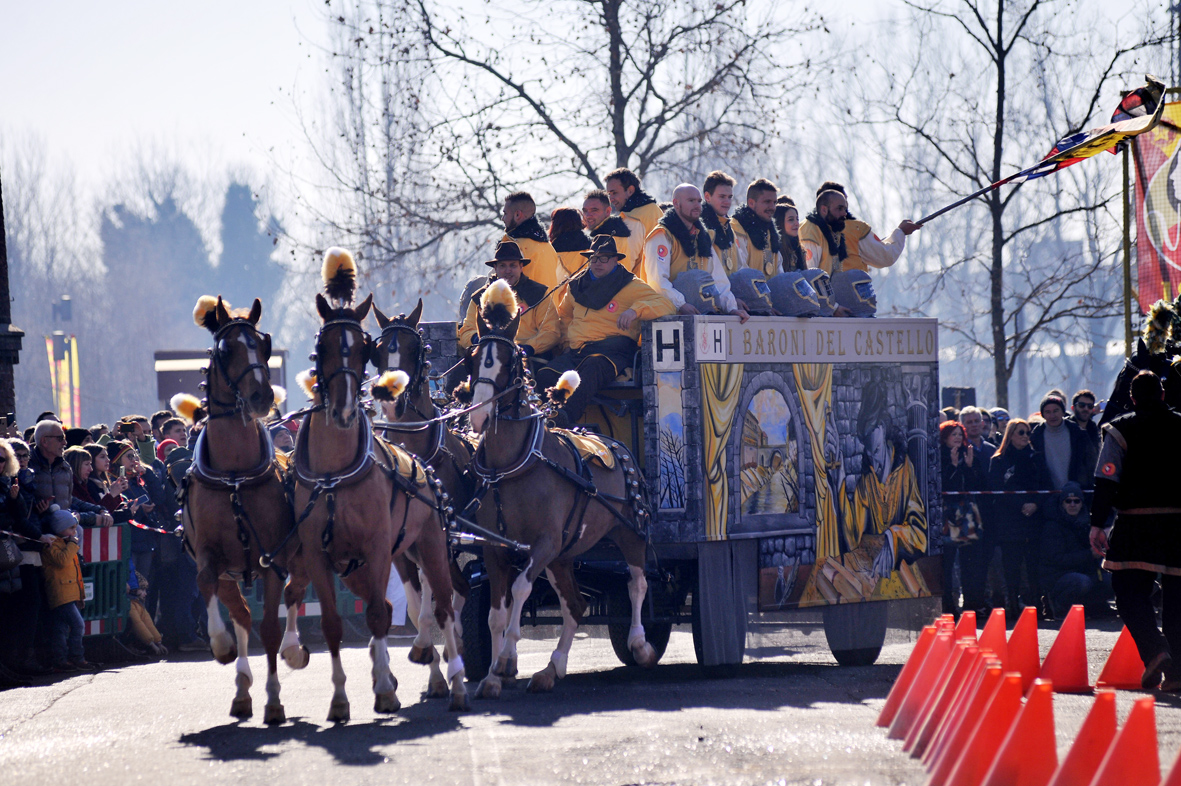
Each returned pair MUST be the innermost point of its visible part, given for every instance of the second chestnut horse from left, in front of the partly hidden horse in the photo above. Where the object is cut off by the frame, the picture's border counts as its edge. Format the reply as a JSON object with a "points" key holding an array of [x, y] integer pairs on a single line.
{"points": [[361, 502]]}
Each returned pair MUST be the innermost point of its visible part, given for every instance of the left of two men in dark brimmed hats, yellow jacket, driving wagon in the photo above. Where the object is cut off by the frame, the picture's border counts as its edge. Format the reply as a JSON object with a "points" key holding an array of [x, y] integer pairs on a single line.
{"points": [[539, 331]]}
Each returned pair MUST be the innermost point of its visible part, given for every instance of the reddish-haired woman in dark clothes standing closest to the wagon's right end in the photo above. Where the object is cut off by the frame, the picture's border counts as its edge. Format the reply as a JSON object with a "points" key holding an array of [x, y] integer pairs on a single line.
{"points": [[963, 536]]}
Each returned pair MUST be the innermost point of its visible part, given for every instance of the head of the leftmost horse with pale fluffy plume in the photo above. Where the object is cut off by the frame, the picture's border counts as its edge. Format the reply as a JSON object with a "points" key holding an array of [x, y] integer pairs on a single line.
{"points": [[238, 379]]}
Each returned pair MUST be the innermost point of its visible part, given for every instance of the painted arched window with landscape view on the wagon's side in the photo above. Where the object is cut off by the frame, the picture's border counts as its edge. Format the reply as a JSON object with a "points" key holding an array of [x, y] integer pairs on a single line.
{"points": [[769, 457]]}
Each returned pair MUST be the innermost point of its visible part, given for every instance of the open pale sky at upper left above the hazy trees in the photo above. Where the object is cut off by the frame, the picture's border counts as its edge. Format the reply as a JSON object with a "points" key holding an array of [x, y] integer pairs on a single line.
{"points": [[210, 78]]}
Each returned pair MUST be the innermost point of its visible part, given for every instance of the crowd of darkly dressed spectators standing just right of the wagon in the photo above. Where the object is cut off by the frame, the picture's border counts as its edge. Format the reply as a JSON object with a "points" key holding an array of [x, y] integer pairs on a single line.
{"points": [[1029, 546]]}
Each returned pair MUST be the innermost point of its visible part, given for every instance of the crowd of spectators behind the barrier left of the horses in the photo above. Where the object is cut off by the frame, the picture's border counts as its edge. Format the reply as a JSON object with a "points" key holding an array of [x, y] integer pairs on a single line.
{"points": [[58, 482]]}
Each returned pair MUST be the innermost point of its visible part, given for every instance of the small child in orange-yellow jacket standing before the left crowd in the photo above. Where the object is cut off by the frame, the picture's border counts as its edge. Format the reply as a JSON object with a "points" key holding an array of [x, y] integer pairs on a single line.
{"points": [[66, 599]]}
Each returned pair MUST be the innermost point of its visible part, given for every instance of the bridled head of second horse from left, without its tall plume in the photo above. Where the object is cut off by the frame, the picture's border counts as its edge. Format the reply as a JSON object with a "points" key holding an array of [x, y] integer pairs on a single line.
{"points": [[343, 350]]}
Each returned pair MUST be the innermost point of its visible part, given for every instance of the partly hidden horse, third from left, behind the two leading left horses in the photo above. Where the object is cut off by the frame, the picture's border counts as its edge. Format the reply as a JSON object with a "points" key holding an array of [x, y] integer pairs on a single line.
{"points": [[413, 425]]}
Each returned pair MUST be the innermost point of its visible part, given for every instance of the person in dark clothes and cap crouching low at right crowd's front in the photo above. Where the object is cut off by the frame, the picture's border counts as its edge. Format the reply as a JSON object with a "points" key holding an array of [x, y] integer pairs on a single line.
{"points": [[1071, 568]]}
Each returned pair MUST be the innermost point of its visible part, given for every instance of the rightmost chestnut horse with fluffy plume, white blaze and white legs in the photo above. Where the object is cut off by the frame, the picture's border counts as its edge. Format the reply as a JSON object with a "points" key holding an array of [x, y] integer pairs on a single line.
{"points": [[541, 499]]}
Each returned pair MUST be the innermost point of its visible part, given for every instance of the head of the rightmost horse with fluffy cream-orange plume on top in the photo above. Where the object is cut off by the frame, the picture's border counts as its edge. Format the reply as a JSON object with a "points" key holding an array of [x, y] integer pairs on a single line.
{"points": [[495, 363]]}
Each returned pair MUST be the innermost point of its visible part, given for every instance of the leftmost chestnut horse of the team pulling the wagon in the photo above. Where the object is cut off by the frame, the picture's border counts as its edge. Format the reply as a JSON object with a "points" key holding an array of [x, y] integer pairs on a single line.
{"points": [[238, 520]]}
